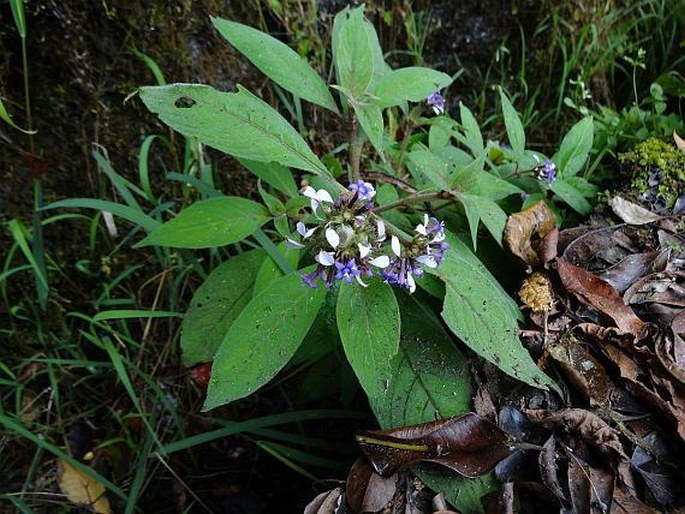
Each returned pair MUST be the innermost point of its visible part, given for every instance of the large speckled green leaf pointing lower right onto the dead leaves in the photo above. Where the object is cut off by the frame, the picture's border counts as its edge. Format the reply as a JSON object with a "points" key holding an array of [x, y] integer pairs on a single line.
{"points": [[483, 316]]}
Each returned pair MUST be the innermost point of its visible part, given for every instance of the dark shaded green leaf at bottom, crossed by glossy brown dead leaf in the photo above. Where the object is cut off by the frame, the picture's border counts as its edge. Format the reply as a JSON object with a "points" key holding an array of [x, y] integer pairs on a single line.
{"points": [[430, 380]]}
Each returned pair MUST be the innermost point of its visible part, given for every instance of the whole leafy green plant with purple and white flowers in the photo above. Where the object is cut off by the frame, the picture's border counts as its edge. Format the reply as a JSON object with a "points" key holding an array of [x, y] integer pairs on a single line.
{"points": [[375, 243]]}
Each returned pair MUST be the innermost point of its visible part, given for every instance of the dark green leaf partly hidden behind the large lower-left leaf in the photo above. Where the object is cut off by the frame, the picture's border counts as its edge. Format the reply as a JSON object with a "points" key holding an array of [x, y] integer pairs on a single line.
{"points": [[216, 304]]}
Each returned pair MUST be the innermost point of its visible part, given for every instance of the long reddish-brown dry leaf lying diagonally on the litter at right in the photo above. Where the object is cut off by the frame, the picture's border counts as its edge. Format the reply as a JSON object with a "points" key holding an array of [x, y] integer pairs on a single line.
{"points": [[594, 292]]}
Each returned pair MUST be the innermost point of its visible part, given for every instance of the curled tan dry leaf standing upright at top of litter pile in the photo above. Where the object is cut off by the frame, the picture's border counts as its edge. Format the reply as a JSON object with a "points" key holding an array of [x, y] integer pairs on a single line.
{"points": [[538, 220]]}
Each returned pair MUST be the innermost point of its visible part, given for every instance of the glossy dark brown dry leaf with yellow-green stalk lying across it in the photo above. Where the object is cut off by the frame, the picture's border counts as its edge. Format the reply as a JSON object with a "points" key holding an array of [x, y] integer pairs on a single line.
{"points": [[468, 444]]}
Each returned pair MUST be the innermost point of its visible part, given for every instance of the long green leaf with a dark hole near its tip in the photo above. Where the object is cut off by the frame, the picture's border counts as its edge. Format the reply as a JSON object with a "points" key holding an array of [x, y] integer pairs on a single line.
{"points": [[239, 124]]}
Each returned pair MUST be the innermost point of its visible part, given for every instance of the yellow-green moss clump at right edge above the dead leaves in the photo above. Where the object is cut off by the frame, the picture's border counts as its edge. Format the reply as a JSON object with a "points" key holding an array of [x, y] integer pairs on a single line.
{"points": [[656, 171]]}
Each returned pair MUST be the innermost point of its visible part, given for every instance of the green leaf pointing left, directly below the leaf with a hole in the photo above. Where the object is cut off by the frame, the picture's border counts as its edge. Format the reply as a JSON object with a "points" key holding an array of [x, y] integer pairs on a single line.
{"points": [[210, 223]]}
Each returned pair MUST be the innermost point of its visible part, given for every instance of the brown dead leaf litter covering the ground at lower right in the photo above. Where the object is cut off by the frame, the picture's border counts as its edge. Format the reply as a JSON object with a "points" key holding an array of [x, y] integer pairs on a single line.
{"points": [[611, 330]]}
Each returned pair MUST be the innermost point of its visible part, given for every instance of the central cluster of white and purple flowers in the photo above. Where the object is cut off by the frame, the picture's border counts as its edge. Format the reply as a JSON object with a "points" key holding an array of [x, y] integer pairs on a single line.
{"points": [[347, 240]]}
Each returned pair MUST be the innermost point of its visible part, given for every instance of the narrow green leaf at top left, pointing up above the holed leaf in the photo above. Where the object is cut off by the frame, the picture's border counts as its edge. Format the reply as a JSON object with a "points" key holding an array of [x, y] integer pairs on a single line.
{"points": [[278, 62]]}
